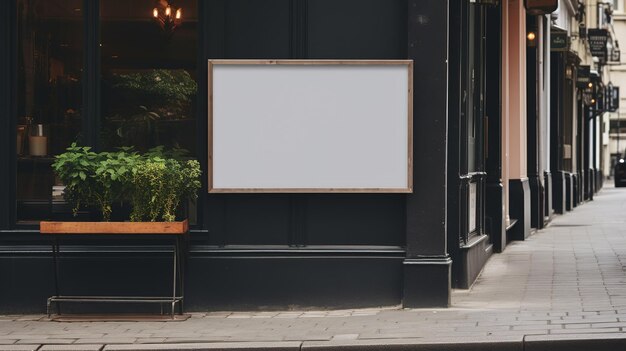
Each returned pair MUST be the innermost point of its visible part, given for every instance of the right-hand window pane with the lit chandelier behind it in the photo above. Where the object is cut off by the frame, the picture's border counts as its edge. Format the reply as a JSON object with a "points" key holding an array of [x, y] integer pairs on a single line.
{"points": [[148, 57]]}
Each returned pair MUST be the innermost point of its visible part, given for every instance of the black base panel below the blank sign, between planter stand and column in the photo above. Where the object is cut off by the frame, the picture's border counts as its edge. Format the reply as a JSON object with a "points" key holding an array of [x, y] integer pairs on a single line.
{"points": [[241, 283]]}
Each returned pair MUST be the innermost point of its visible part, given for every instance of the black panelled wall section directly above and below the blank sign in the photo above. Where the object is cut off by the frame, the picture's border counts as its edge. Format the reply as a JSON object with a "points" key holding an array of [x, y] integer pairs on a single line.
{"points": [[252, 29]]}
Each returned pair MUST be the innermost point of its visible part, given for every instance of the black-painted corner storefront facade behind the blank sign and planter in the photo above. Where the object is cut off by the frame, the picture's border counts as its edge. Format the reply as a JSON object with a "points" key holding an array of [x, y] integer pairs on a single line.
{"points": [[255, 251]]}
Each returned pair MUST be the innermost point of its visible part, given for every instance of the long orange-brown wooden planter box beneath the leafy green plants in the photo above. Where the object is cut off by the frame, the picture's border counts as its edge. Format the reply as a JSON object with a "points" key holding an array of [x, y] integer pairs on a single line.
{"points": [[114, 227]]}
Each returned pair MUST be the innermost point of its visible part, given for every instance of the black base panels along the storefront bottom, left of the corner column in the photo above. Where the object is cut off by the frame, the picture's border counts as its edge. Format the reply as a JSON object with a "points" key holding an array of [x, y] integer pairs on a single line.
{"points": [[215, 279]]}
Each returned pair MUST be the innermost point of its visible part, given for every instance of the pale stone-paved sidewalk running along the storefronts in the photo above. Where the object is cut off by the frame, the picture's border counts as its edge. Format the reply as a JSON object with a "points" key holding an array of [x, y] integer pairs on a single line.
{"points": [[562, 288]]}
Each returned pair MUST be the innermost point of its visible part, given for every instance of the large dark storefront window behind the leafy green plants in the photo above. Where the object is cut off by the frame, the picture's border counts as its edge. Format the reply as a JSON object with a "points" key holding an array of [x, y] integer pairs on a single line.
{"points": [[147, 86]]}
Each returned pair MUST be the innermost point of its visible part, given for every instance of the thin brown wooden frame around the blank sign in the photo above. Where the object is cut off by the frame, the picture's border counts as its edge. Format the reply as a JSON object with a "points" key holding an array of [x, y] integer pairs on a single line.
{"points": [[408, 189]]}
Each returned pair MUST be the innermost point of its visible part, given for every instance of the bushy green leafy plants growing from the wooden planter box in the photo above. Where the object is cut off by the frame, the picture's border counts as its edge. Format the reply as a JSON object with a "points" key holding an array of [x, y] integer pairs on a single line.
{"points": [[155, 183]]}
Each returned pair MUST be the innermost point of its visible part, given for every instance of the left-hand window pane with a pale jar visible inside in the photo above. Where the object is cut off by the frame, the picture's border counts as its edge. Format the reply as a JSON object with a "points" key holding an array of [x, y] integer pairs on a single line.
{"points": [[50, 51]]}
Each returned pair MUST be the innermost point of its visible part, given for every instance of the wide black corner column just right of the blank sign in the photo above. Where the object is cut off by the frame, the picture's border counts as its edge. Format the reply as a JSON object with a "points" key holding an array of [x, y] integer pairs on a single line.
{"points": [[427, 264]]}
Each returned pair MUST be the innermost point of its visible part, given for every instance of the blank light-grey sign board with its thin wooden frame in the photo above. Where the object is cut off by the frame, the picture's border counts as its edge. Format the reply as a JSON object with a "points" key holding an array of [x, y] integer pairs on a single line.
{"points": [[310, 126]]}
